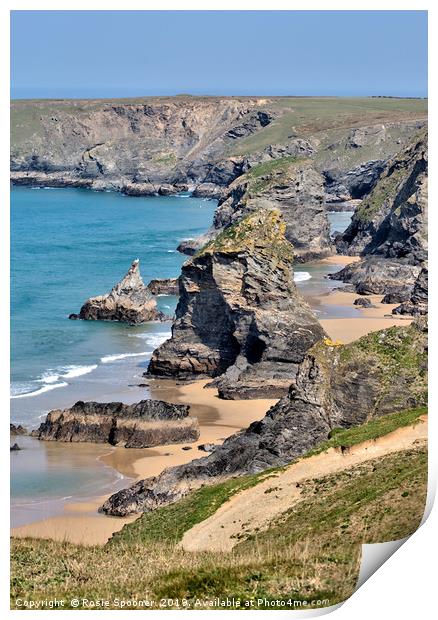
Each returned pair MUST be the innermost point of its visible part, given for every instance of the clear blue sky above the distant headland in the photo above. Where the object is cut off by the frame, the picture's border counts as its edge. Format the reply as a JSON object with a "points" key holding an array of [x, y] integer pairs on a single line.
{"points": [[80, 54]]}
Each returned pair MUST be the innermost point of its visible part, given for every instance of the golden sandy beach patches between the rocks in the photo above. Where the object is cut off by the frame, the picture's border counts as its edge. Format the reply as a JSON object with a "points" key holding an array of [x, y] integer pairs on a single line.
{"points": [[82, 524]]}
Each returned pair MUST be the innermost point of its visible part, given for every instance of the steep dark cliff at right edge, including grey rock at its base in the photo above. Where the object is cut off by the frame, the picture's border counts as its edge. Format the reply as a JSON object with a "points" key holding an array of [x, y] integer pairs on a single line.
{"points": [[389, 229]]}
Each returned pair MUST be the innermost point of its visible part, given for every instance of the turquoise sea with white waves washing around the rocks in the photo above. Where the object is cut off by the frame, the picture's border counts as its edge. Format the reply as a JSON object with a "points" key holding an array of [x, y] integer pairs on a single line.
{"points": [[68, 245]]}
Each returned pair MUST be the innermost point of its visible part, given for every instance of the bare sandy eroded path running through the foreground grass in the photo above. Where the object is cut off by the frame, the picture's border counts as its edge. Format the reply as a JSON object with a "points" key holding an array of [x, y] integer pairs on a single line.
{"points": [[256, 507]]}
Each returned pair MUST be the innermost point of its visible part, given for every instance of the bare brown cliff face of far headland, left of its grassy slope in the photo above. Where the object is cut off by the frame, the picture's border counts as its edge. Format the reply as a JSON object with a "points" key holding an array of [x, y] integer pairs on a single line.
{"points": [[140, 145]]}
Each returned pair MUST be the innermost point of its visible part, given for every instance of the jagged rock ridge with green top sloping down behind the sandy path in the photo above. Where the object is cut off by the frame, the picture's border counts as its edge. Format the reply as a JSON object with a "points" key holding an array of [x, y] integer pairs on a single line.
{"points": [[336, 386]]}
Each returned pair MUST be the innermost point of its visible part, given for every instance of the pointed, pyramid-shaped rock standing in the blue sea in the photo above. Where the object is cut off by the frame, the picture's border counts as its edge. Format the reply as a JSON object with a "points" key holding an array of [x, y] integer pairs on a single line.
{"points": [[129, 301]]}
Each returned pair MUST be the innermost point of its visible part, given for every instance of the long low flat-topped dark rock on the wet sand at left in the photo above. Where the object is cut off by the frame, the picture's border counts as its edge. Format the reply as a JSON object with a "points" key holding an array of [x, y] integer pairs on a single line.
{"points": [[141, 425]]}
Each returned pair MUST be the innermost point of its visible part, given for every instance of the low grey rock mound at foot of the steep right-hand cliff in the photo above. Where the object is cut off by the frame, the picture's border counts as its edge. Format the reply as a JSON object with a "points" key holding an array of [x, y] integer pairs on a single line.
{"points": [[379, 276]]}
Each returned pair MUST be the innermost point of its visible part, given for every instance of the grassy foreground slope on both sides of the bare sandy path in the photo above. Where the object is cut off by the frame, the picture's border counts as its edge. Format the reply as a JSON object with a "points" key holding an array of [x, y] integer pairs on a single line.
{"points": [[318, 557]]}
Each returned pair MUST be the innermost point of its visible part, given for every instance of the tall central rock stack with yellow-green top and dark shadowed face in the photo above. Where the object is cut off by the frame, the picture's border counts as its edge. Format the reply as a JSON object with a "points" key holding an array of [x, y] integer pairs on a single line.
{"points": [[240, 316]]}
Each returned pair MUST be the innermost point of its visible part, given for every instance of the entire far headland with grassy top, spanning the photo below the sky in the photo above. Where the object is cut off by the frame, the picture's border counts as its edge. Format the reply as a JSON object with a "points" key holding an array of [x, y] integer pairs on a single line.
{"points": [[164, 145]]}
